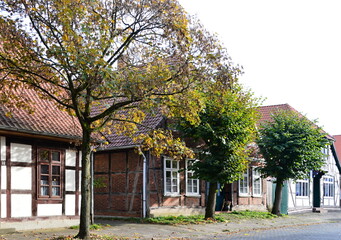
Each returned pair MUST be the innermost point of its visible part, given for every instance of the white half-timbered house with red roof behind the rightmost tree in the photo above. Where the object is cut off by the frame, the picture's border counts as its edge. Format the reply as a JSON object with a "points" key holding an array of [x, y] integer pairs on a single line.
{"points": [[321, 189]]}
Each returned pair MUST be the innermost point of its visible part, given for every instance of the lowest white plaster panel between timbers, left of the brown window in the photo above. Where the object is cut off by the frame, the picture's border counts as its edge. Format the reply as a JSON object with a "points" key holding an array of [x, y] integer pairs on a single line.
{"points": [[21, 205]]}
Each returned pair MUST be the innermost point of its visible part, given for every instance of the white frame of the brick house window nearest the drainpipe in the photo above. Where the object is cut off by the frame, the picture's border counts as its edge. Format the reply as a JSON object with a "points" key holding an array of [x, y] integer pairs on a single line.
{"points": [[173, 171]]}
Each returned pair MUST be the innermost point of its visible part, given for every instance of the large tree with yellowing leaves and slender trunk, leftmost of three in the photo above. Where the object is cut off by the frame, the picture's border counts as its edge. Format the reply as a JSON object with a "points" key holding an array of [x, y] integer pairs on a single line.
{"points": [[109, 62]]}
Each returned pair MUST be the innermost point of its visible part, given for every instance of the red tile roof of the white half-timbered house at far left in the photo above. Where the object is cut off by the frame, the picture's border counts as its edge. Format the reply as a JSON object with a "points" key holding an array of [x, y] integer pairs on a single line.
{"points": [[46, 120]]}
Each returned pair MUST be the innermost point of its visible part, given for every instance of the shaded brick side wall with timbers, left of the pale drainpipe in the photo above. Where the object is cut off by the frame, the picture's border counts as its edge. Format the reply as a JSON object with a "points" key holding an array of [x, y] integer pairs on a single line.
{"points": [[121, 172]]}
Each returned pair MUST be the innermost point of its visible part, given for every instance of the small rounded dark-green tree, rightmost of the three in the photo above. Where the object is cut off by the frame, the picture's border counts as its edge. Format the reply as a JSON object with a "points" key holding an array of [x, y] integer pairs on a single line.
{"points": [[291, 146]]}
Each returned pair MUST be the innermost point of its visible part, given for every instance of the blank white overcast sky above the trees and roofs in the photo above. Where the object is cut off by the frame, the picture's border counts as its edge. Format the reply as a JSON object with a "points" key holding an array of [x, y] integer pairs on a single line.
{"points": [[290, 50]]}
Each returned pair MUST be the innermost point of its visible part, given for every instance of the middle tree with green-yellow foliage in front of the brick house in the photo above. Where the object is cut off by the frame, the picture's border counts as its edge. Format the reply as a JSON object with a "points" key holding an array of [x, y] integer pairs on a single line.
{"points": [[227, 125]]}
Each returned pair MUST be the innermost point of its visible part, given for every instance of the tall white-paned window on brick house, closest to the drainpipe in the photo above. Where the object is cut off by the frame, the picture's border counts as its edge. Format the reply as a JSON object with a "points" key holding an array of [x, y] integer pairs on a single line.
{"points": [[171, 176]]}
